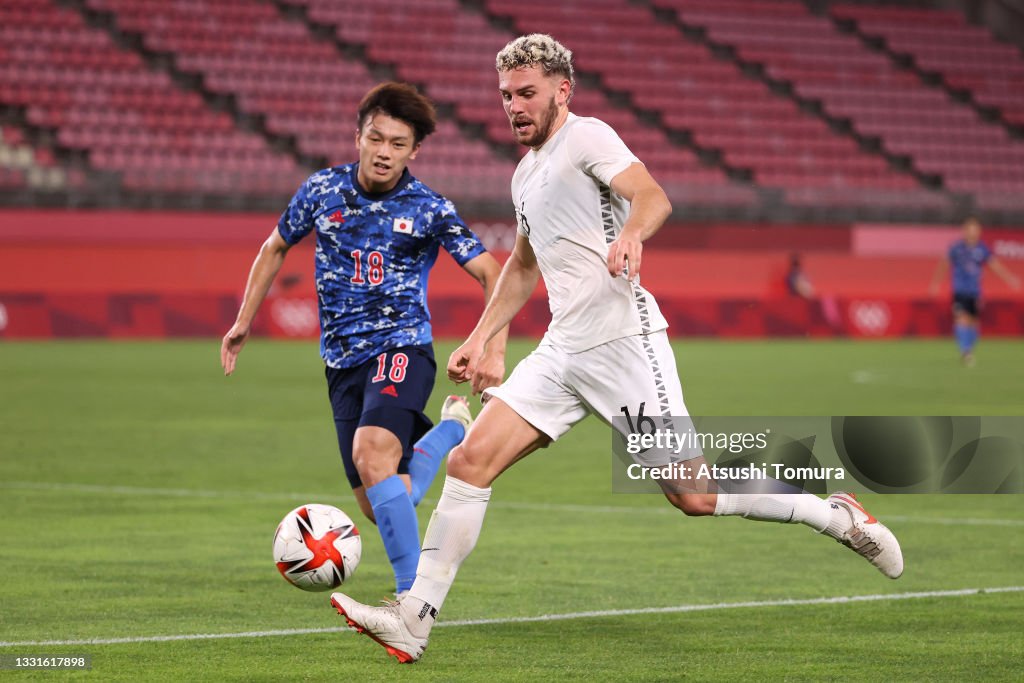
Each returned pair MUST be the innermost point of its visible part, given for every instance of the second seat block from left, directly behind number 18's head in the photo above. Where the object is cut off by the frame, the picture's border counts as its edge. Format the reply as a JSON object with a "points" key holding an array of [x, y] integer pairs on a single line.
{"points": [[301, 84]]}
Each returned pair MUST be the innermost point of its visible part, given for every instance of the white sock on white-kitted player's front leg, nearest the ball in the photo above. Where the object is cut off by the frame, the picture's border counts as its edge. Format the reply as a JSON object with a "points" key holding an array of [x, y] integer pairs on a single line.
{"points": [[452, 534]]}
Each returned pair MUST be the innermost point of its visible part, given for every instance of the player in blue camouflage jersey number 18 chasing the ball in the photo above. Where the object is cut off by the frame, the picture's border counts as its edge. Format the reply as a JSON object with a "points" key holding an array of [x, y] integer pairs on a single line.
{"points": [[378, 233]]}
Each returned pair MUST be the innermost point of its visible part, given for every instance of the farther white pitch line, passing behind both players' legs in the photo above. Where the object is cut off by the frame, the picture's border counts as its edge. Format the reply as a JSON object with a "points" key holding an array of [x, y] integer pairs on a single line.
{"points": [[508, 505]]}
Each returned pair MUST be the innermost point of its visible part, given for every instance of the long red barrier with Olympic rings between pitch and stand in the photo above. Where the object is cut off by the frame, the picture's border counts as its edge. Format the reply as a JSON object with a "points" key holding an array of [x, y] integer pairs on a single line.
{"points": [[95, 274]]}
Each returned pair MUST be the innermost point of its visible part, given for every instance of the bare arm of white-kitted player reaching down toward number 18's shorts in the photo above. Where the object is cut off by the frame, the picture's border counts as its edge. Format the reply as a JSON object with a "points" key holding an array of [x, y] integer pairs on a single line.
{"points": [[518, 281]]}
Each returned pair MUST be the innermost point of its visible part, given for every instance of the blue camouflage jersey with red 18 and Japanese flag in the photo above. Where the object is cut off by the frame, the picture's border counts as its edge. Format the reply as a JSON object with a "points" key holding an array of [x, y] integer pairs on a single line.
{"points": [[374, 254]]}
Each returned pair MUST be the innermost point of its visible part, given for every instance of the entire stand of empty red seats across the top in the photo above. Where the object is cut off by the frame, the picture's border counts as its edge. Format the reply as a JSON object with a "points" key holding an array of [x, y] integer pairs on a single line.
{"points": [[756, 109]]}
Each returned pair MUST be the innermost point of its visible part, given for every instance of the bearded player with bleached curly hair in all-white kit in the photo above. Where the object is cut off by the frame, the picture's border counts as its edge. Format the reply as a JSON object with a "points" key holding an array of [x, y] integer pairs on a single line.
{"points": [[585, 205]]}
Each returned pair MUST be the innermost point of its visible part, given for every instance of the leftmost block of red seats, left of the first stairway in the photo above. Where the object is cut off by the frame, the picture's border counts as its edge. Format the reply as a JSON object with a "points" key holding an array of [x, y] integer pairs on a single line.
{"points": [[101, 100]]}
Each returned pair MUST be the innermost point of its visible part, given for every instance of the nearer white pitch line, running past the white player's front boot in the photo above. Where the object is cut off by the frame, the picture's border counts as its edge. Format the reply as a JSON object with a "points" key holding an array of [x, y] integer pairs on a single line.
{"points": [[836, 601]]}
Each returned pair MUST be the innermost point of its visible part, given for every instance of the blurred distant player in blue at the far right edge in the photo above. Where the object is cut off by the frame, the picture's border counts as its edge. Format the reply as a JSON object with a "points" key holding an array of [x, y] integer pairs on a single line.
{"points": [[967, 258]]}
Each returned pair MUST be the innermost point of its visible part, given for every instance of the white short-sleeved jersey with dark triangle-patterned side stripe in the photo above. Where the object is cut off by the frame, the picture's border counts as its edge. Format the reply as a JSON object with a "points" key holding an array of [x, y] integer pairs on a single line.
{"points": [[566, 207]]}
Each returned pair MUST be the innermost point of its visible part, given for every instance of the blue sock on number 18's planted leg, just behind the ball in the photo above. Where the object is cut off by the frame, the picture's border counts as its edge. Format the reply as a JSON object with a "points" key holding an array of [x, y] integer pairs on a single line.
{"points": [[399, 529]]}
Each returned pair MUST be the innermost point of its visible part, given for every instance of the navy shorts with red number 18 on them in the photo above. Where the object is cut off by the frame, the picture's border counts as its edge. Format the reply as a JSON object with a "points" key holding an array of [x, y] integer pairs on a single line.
{"points": [[390, 392]]}
